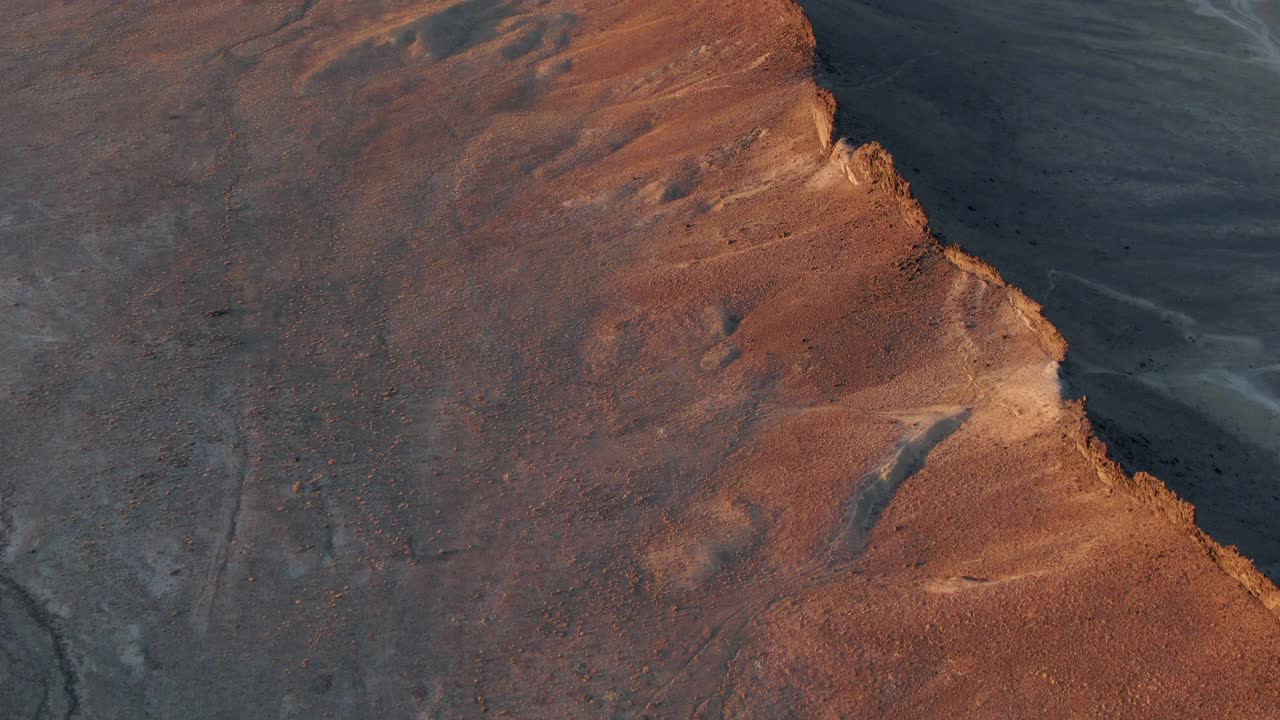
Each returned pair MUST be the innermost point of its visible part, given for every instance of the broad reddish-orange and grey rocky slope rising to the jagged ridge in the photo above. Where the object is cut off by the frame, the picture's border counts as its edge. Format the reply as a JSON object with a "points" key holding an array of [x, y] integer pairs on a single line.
{"points": [[538, 359]]}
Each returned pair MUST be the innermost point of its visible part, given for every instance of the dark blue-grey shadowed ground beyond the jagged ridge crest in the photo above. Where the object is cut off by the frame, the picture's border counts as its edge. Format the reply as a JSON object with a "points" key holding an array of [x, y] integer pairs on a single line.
{"points": [[1121, 162]]}
